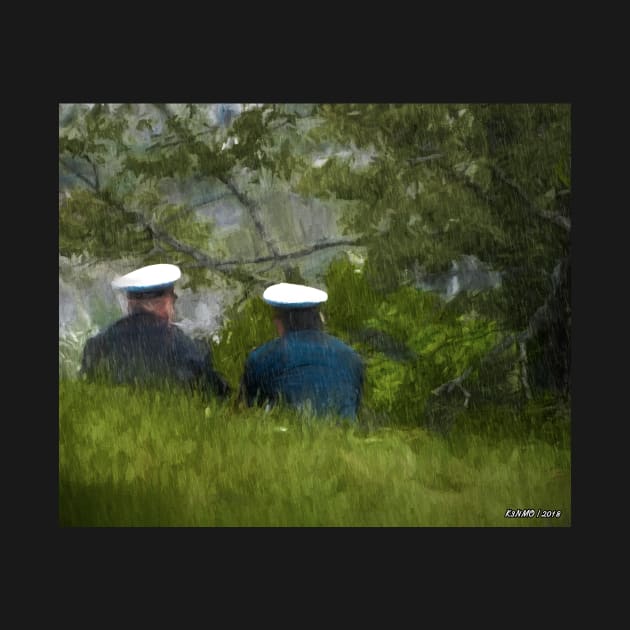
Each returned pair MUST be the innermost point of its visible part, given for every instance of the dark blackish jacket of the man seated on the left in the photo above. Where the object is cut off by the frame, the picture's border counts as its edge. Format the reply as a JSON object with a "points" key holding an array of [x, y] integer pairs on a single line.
{"points": [[144, 349]]}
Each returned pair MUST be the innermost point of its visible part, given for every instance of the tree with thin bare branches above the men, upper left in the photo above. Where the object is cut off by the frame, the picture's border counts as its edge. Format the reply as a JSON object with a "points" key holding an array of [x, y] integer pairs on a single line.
{"points": [[118, 162]]}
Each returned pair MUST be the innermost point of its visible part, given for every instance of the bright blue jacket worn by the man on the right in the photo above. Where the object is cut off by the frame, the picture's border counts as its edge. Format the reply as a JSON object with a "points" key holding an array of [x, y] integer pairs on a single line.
{"points": [[303, 366]]}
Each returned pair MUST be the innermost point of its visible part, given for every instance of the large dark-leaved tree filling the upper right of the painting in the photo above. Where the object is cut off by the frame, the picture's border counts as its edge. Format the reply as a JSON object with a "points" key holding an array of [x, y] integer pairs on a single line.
{"points": [[487, 180]]}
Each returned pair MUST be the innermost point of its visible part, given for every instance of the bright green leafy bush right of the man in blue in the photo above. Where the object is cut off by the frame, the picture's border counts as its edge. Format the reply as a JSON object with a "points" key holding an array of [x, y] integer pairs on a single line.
{"points": [[414, 342]]}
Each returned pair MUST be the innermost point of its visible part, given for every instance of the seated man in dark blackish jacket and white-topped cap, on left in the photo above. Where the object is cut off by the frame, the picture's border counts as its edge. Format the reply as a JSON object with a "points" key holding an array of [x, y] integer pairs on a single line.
{"points": [[145, 347]]}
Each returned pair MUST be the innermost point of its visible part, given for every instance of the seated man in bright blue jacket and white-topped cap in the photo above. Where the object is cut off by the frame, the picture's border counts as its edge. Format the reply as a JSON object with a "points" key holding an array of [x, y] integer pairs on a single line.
{"points": [[304, 367]]}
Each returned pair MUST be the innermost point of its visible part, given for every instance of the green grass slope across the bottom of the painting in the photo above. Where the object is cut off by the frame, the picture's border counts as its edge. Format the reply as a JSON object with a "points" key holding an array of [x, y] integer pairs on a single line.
{"points": [[129, 458]]}
